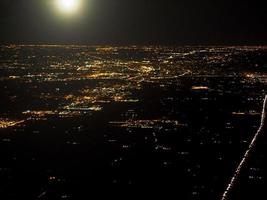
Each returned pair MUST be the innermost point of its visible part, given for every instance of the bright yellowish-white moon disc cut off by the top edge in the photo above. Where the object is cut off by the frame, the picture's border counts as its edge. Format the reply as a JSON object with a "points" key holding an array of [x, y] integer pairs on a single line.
{"points": [[68, 6]]}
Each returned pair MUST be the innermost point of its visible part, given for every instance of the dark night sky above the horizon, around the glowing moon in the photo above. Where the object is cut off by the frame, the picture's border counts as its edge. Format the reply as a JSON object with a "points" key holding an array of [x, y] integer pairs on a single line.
{"points": [[181, 22]]}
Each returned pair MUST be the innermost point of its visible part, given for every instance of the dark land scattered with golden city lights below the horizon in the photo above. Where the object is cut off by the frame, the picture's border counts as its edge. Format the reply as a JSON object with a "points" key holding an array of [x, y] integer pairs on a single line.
{"points": [[165, 120]]}
